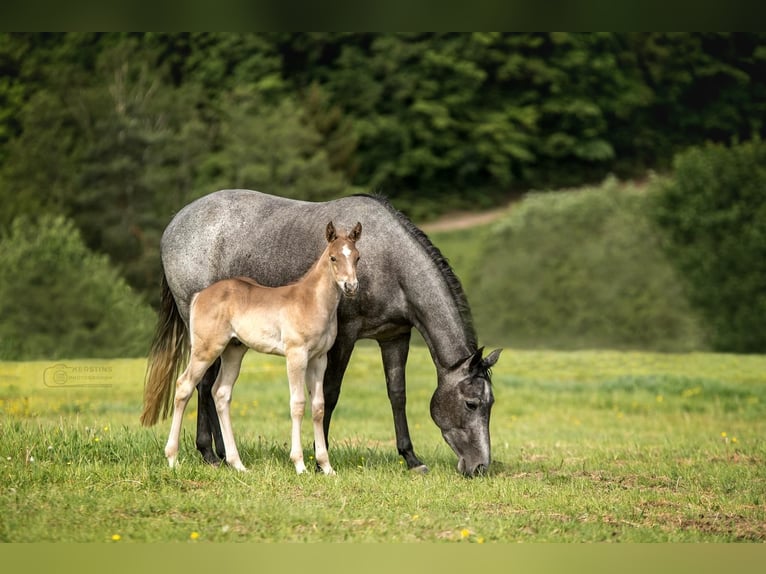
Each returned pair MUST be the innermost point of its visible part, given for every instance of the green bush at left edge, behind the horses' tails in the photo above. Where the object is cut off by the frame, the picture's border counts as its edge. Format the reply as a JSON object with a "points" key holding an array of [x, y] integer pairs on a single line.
{"points": [[58, 299]]}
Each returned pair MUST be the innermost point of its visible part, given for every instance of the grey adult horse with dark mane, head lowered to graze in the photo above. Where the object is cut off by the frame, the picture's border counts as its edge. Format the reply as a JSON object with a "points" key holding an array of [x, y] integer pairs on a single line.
{"points": [[405, 282]]}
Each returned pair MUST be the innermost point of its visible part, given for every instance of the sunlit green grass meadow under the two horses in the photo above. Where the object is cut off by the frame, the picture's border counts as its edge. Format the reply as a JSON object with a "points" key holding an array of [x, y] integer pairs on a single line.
{"points": [[587, 446]]}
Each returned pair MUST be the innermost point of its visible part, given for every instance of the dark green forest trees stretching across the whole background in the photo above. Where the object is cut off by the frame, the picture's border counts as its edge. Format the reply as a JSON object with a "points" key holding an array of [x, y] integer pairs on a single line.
{"points": [[117, 131]]}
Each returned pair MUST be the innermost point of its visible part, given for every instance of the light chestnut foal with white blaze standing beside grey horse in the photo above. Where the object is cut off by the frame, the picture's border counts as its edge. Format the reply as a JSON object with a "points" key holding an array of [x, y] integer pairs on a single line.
{"points": [[298, 321]]}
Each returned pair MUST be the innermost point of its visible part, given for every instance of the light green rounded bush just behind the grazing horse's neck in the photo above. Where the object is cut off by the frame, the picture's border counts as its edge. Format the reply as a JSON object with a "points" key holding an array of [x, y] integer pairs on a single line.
{"points": [[580, 269]]}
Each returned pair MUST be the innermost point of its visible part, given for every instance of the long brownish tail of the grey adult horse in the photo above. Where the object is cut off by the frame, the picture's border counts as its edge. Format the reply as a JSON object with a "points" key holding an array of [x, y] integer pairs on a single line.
{"points": [[169, 347]]}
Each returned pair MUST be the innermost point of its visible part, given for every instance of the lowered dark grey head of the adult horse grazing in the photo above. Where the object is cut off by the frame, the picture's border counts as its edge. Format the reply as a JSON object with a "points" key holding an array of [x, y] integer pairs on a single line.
{"points": [[461, 406]]}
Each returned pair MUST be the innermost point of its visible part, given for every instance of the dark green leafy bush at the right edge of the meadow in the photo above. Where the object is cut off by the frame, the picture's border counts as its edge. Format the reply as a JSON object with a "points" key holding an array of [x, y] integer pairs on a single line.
{"points": [[714, 212]]}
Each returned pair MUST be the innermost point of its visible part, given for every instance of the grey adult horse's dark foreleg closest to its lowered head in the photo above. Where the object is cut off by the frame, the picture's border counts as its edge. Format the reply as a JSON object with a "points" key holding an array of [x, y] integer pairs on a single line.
{"points": [[395, 353]]}
